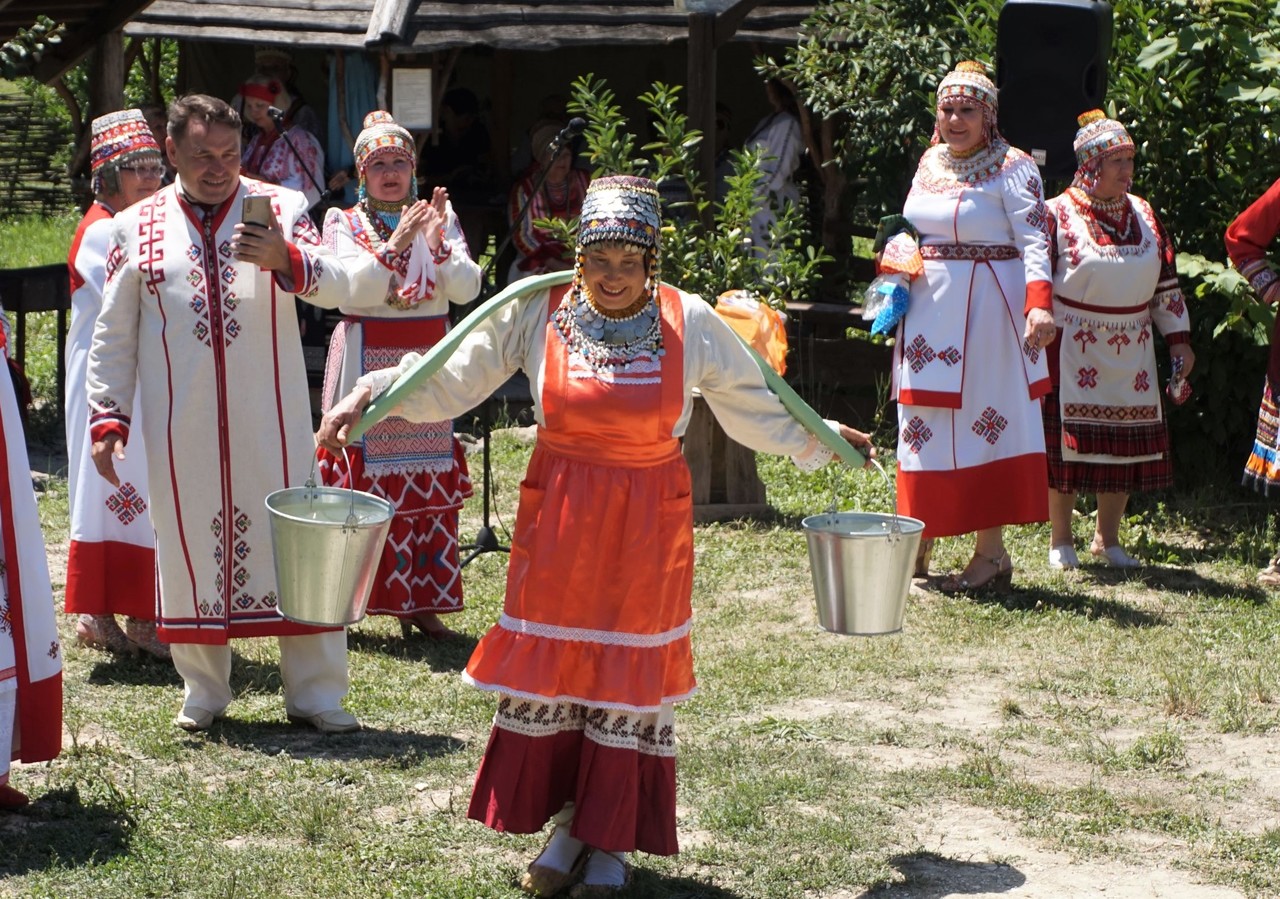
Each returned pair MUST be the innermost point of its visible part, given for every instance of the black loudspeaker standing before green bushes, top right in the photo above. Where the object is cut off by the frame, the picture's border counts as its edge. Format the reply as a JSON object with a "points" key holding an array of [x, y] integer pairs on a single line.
{"points": [[1052, 66]]}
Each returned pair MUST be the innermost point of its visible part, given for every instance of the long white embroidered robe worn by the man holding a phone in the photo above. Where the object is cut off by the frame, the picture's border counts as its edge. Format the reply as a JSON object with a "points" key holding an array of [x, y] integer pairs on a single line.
{"points": [[213, 346]]}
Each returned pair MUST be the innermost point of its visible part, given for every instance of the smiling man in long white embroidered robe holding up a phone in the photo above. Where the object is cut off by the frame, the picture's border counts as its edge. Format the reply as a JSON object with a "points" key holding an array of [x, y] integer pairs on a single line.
{"points": [[199, 313]]}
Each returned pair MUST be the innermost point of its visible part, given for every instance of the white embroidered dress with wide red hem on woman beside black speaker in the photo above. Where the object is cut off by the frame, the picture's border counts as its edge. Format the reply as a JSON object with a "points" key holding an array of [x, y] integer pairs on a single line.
{"points": [[971, 448]]}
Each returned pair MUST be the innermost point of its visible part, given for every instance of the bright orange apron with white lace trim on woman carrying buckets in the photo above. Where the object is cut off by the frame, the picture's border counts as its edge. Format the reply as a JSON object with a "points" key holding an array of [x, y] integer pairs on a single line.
{"points": [[598, 591]]}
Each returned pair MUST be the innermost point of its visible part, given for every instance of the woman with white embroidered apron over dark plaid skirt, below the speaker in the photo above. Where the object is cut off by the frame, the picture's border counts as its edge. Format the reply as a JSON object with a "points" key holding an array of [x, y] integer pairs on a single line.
{"points": [[1116, 279]]}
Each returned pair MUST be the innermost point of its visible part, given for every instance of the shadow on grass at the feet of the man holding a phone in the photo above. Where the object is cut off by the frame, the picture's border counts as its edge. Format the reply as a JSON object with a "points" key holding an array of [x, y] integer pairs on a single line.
{"points": [[400, 747]]}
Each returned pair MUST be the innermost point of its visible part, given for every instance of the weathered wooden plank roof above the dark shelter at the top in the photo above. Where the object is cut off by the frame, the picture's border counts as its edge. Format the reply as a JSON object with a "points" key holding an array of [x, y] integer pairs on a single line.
{"points": [[415, 26]]}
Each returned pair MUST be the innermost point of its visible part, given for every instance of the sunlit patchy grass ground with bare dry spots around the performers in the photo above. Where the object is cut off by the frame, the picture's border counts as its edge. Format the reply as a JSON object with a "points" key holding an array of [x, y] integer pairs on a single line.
{"points": [[1095, 705]]}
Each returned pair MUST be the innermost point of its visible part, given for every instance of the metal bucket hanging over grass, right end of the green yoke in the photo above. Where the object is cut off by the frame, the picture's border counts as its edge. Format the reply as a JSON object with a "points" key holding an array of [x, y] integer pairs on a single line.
{"points": [[862, 567]]}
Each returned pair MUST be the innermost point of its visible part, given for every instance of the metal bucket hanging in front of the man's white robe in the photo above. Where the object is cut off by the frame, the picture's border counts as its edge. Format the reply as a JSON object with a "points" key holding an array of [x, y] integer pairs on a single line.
{"points": [[328, 542]]}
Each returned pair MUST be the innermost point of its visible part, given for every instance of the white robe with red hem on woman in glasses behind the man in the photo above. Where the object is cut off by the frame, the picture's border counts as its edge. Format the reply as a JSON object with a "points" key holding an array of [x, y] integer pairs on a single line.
{"points": [[111, 564]]}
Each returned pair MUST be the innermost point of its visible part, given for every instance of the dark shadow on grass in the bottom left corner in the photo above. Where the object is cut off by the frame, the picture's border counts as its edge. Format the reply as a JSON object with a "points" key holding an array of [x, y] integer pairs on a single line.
{"points": [[60, 830]]}
